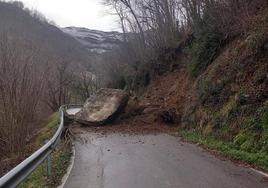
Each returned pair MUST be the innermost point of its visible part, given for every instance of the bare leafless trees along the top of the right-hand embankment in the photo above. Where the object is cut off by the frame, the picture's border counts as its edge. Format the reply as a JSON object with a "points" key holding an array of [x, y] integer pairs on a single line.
{"points": [[163, 25]]}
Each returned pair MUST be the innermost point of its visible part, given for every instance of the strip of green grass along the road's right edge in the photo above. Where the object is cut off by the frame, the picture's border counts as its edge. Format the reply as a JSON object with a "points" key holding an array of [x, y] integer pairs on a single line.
{"points": [[227, 149]]}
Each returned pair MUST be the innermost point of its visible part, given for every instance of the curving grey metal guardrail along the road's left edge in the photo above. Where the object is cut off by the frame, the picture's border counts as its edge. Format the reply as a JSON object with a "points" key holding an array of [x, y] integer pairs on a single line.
{"points": [[25, 168]]}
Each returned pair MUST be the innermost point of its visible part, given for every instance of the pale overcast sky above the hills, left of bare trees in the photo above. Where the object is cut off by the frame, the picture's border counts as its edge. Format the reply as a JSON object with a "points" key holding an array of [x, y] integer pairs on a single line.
{"points": [[81, 13]]}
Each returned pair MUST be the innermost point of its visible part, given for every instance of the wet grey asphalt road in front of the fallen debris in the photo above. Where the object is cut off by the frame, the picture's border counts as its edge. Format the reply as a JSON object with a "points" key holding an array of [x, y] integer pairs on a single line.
{"points": [[161, 161]]}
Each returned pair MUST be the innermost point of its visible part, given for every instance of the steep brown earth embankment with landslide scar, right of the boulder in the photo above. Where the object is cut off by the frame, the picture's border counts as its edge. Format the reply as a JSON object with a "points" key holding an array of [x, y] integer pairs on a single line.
{"points": [[227, 103]]}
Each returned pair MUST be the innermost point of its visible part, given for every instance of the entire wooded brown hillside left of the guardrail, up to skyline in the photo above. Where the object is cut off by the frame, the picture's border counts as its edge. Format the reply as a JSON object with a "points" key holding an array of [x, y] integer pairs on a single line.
{"points": [[37, 63]]}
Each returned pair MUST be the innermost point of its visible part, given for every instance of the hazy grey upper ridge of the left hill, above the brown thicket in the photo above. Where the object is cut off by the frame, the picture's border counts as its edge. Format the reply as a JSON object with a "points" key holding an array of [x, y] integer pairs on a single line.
{"points": [[21, 23]]}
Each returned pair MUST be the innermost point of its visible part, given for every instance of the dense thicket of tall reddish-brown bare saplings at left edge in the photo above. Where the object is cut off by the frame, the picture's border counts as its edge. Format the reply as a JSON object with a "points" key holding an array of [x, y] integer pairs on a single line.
{"points": [[21, 85]]}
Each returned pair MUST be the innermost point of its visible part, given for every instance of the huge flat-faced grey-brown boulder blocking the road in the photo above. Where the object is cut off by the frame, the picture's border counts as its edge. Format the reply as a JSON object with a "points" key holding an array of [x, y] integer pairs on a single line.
{"points": [[103, 107]]}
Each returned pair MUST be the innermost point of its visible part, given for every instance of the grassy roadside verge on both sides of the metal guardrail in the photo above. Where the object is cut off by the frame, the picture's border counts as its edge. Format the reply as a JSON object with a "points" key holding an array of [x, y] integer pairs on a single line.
{"points": [[60, 159]]}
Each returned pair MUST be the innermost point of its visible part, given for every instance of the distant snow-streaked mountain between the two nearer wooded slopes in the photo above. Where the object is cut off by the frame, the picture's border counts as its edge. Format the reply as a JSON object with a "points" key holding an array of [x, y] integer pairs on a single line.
{"points": [[93, 40]]}
